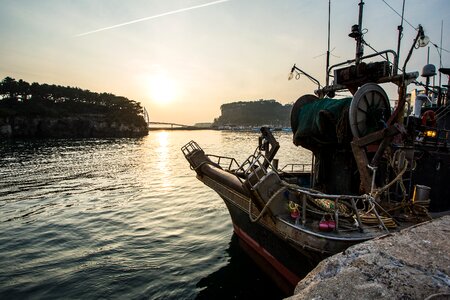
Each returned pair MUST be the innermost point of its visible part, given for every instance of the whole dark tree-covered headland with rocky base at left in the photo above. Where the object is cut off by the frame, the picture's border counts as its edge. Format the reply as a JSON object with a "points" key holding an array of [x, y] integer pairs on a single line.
{"points": [[42, 110]]}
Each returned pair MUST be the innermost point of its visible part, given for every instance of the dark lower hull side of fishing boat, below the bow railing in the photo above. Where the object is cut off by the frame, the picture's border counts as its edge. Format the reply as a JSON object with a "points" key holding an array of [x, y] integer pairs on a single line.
{"points": [[284, 252]]}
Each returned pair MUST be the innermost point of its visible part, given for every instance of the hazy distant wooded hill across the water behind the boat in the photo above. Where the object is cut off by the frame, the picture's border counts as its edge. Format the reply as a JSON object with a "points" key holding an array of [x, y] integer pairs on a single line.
{"points": [[254, 113]]}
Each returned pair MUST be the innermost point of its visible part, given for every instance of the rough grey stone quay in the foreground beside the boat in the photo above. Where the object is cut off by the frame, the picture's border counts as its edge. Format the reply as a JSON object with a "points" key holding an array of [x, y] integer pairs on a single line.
{"points": [[411, 264]]}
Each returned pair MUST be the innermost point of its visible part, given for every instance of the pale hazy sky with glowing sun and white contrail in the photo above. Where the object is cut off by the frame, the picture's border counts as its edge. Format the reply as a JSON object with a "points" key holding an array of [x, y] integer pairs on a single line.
{"points": [[183, 59]]}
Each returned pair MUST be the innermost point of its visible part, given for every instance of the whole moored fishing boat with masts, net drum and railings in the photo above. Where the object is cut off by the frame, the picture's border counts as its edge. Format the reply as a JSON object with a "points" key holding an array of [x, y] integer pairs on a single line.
{"points": [[373, 172]]}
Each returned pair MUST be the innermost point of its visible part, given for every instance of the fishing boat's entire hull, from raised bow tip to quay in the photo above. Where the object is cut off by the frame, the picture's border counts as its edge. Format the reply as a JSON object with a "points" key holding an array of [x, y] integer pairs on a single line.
{"points": [[286, 250]]}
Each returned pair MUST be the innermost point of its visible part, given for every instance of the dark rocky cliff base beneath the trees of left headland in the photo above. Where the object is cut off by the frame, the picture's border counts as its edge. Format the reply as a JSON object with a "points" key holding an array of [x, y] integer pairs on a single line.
{"points": [[67, 127]]}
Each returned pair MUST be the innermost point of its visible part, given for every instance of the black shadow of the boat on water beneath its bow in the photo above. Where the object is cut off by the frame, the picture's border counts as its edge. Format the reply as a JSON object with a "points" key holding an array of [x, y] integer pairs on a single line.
{"points": [[241, 278]]}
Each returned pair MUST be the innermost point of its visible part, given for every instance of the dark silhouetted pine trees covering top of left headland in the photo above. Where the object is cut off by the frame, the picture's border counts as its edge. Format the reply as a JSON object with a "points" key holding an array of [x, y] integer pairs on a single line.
{"points": [[21, 98]]}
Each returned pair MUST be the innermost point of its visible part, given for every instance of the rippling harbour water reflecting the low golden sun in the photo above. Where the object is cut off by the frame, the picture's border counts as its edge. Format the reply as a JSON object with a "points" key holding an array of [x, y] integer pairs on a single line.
{"points": [[123, 219]]}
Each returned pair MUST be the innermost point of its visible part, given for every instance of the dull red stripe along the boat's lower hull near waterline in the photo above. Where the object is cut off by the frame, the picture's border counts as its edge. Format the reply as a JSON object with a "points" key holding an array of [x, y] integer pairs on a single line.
{"points": [[282, 270]]}
